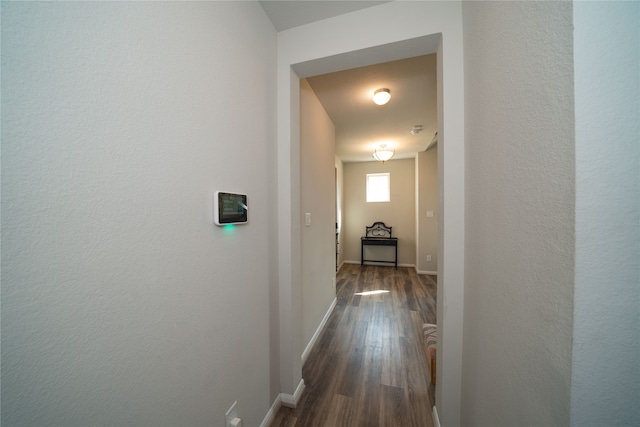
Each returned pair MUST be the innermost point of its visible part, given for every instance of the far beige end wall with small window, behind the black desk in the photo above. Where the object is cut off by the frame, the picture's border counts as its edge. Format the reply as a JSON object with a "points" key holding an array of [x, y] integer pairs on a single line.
{"points": [[399, 213]]}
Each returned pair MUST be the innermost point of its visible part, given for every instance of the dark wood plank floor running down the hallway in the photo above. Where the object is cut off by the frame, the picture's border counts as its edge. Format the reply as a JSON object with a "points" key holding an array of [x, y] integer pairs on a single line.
{"points": [[369, 365]]}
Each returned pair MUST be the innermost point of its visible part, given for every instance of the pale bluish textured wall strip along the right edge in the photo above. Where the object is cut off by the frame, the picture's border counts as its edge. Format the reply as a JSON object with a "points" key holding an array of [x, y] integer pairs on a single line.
{"points": [[605, 386]]}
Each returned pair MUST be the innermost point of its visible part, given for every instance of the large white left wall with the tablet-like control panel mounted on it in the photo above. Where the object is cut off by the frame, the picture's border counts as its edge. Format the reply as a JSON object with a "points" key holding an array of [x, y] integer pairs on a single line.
{"points": [[122, 303]]}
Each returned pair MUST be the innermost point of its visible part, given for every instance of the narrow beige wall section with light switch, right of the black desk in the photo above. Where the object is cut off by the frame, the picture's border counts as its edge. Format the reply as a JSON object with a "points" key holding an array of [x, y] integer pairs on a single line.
{"points": [[427, 194]]}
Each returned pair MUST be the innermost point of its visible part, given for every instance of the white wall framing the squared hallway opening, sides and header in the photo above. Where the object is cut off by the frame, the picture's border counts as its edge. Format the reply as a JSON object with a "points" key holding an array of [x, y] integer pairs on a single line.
{"points": [[344, 42]]}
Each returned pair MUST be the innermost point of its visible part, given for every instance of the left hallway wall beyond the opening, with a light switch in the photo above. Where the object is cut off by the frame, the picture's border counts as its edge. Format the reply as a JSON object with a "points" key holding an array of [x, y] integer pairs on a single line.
{"points": [[317, 197]]}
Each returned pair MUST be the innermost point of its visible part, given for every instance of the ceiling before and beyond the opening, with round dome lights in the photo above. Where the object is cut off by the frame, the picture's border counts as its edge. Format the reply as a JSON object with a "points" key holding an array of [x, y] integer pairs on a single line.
{"points": [[361, 126]]}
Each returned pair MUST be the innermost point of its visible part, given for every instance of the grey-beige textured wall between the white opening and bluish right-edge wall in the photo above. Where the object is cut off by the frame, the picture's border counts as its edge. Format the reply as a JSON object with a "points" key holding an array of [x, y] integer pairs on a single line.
{"points": [[520, 192]]}
